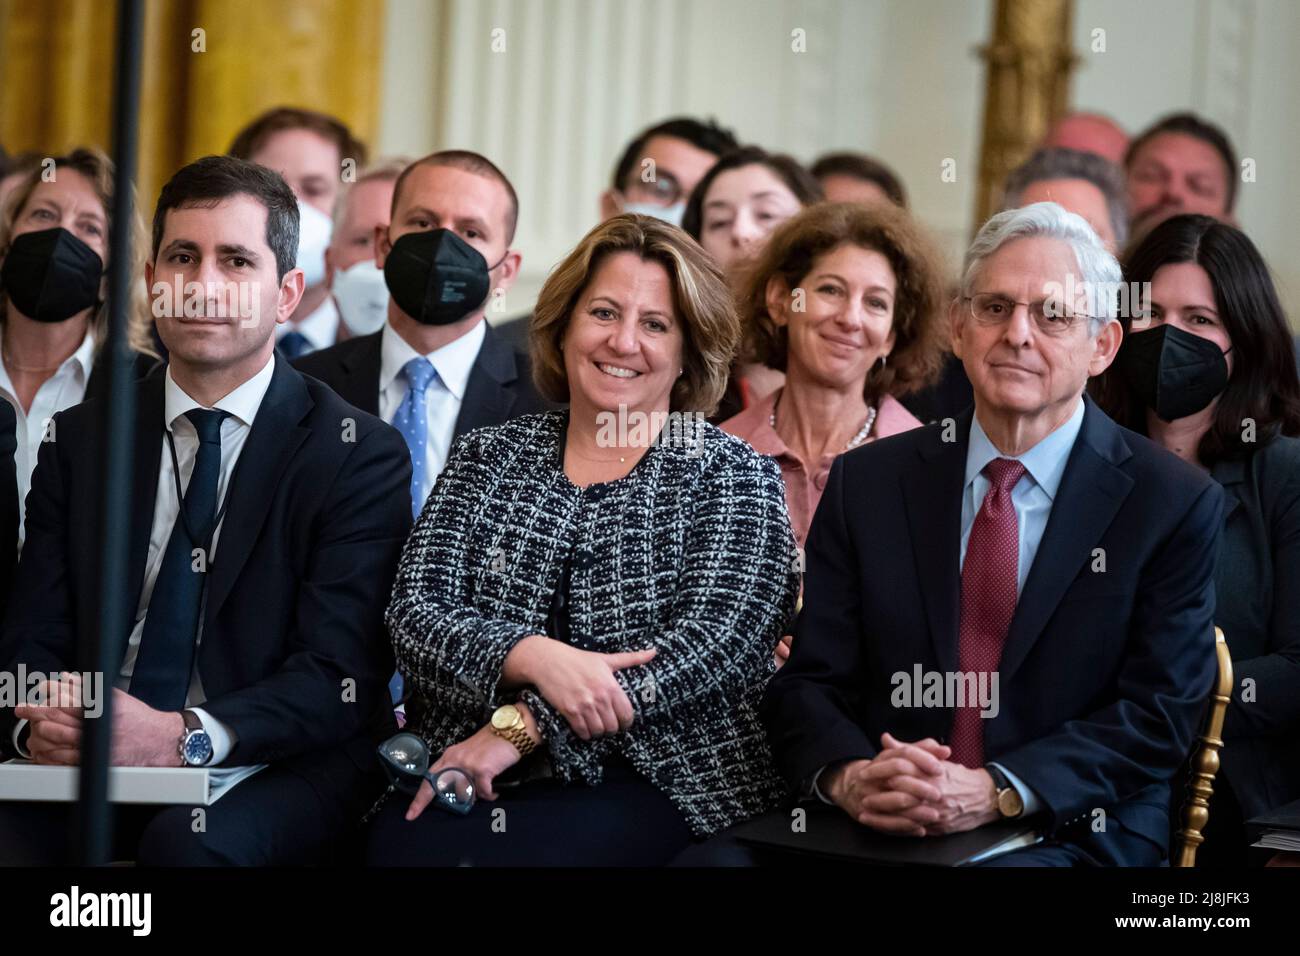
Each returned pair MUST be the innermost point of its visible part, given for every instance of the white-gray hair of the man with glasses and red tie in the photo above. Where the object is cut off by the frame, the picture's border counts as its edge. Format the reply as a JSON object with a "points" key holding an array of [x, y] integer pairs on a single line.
{"points": [[1099, 270]]}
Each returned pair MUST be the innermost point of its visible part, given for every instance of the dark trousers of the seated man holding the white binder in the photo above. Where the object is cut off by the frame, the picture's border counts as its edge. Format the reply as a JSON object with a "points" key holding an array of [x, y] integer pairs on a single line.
{"points": [[276, 817]]}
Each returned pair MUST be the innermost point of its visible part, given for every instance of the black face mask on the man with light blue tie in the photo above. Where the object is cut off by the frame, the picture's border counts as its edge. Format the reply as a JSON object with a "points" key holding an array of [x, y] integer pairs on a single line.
{"points": [[437, 278]]}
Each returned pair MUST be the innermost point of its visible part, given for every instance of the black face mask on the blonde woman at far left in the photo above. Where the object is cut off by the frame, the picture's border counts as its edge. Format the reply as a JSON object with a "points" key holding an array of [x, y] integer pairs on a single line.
{"points": [[51, 276]]}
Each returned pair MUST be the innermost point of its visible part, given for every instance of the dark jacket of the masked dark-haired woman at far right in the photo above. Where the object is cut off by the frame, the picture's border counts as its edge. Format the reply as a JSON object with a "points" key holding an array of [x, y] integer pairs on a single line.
{"points": [[1259, 609]]}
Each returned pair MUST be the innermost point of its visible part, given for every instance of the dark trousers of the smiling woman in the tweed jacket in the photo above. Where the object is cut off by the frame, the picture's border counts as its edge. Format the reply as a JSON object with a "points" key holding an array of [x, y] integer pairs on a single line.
{"points": [[623, 823]]}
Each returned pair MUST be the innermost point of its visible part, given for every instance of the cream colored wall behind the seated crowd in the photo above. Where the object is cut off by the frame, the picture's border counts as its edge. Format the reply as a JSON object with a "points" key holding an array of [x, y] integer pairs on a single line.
{"points": [[899, 79]]}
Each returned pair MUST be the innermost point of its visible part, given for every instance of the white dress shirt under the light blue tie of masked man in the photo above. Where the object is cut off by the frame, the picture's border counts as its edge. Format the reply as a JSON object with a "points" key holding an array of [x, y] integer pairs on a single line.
{"points": [[453, 362]]}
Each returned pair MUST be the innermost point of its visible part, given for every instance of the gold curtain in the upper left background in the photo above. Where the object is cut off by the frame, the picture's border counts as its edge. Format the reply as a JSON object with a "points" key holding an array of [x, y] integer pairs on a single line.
{"points": [[210, 67]]}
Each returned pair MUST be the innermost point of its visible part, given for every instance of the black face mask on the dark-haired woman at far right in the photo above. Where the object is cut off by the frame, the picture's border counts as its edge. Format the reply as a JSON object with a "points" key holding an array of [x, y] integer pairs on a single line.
{"points": [[1173, 373]]}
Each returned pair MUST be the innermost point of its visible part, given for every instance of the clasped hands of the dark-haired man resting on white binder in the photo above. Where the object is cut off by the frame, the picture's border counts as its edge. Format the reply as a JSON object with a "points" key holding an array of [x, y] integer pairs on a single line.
{"points": [[142, 737]]}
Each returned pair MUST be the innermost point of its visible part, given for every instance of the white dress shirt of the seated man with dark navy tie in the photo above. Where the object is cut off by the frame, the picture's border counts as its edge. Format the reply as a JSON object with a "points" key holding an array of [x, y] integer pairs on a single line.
{"points": [[242, 404]]}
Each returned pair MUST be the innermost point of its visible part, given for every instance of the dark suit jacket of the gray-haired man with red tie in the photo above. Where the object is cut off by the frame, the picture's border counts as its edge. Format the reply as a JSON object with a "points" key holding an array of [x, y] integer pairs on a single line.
{"points": [[1104, 674]]}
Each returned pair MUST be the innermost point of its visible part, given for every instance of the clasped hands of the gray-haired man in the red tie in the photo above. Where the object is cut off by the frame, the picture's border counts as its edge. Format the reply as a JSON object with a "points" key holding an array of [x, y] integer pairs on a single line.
{"points": [[912, 790]]}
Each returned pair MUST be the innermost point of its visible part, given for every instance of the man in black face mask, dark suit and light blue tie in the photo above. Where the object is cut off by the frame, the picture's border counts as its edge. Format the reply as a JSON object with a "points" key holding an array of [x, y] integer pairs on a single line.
{"points": [[436, 370]]}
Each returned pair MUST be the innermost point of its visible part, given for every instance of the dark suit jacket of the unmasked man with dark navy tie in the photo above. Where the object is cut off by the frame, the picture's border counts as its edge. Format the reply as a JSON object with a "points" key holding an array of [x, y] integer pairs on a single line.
{"points": [[294, 657]]}
